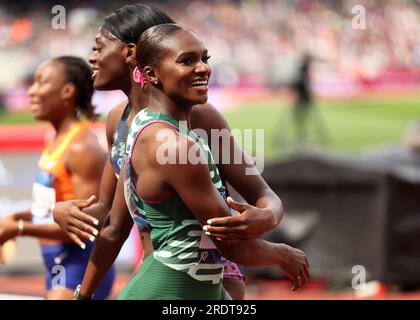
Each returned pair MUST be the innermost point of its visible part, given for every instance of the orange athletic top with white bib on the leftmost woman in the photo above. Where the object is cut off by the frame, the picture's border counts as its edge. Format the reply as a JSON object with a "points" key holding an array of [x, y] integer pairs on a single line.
{"points": [[53, 181]]}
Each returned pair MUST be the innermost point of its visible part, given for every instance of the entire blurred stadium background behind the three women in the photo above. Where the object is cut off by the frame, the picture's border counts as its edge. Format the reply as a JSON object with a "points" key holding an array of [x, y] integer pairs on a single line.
{"points": [[334, 84]]}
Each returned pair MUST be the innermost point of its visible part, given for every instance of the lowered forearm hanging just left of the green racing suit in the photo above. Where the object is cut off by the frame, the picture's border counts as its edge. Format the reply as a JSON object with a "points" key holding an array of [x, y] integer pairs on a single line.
{"points": [[107, 247]]}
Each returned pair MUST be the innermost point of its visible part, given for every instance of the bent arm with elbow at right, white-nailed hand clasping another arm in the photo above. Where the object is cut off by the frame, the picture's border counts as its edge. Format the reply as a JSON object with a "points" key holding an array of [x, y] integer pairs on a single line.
{"points": [[265, 210]]}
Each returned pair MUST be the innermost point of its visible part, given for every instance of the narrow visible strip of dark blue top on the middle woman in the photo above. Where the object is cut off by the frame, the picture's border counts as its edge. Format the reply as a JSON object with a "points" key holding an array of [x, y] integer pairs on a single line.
{"points": [[120, 138]]}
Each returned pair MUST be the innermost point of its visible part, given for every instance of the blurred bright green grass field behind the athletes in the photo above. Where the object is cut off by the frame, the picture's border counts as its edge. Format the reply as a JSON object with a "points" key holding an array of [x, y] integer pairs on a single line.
{"points": [[351, 125]]}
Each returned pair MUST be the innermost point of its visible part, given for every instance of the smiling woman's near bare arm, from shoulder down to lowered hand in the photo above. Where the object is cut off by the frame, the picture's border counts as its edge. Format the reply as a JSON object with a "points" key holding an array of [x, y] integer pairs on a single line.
{"points": [[192, 182]]}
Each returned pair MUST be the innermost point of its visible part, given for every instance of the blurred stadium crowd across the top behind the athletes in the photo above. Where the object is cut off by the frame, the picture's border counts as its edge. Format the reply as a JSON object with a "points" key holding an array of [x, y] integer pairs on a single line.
{"points": [[251, 42]]}
